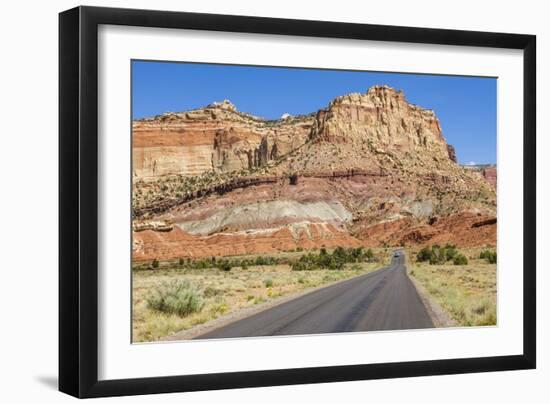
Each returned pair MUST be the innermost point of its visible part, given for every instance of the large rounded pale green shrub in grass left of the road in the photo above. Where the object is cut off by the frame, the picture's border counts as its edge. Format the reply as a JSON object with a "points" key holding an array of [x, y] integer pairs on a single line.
{"points": [[178, 297]]}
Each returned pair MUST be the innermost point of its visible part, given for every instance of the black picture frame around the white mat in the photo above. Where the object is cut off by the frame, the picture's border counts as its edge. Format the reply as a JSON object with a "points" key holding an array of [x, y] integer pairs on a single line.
{"points": [[78, 201]]}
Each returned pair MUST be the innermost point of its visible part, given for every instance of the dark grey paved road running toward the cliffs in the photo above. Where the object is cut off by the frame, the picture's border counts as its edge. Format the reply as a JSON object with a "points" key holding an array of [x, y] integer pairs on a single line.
{"points": [[381, 300]]}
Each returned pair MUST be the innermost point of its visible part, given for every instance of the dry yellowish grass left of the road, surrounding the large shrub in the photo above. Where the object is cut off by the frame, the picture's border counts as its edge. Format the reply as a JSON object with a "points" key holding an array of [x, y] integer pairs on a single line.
{"points": [[223, 292]]}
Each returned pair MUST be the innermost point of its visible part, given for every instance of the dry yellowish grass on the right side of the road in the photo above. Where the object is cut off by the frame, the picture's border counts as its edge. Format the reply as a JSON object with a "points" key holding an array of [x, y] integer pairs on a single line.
{"points": [[468, 293]]}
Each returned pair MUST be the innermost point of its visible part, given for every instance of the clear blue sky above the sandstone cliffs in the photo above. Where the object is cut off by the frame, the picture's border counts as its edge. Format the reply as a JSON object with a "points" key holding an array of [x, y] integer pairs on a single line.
{"points": [[466, 106]]}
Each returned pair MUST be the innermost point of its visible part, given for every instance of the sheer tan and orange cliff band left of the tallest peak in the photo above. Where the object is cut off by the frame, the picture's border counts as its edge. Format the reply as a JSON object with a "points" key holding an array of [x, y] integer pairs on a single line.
{"points": [[217, 137]]}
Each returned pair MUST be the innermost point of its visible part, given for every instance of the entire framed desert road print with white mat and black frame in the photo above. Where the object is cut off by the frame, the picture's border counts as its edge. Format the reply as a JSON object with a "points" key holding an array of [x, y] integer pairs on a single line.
{"points": [[251, 201]]}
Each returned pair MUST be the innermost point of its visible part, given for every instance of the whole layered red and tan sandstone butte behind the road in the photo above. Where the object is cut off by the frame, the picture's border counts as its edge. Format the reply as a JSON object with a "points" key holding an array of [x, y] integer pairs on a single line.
{"points": [[368, 170]]}
